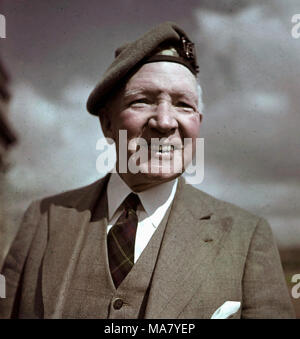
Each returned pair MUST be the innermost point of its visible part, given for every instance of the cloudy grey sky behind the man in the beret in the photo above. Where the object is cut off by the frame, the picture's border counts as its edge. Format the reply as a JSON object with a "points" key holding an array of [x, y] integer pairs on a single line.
{"points": [[56, 51]]}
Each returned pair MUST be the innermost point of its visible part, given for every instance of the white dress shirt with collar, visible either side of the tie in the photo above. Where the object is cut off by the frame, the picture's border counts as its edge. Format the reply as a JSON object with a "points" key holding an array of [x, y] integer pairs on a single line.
{"points": [[155, 203]]}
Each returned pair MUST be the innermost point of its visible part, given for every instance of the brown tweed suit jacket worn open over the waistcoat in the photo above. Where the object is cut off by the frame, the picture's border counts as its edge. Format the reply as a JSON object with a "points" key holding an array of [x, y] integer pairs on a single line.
{"points": [[211, 252]]}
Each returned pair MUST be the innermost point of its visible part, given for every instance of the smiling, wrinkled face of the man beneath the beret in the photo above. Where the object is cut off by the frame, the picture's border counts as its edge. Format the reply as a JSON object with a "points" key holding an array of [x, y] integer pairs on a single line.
{"points": [[159, 101]]}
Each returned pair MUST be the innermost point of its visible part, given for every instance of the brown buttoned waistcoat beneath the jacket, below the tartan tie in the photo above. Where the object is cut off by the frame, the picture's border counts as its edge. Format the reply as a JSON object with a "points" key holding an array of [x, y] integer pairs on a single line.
{"points": [[92, 294]]}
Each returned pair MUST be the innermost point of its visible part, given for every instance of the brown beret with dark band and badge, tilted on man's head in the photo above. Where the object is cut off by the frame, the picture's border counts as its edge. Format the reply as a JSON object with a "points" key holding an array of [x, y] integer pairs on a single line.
{"points": [[131, 55]]}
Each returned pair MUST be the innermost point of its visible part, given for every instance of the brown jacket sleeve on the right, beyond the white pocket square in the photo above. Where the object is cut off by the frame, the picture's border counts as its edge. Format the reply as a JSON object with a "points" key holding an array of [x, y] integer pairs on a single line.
{"points": [[265, 293]]}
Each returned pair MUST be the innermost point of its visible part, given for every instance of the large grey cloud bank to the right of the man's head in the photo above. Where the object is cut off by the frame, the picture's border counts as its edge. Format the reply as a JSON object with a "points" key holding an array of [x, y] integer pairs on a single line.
{"points": [[251, 92]]}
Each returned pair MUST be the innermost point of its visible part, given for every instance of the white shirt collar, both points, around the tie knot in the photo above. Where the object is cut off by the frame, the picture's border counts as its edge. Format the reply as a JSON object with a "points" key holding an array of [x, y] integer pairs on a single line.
{"points": [[155, 200]]}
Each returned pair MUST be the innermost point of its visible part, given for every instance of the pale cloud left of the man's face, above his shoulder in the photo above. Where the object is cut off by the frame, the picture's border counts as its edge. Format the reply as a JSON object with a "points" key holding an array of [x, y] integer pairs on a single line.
{"points": [[57, 148]]}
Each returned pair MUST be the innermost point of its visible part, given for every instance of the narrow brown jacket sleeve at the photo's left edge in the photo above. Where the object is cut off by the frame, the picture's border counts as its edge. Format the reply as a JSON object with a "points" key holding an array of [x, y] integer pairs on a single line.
{"points": [[15, 261]]}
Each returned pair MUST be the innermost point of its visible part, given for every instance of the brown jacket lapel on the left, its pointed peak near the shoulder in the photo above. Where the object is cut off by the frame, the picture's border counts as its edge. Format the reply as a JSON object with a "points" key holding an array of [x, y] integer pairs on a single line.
{"points": [[68, 227]]}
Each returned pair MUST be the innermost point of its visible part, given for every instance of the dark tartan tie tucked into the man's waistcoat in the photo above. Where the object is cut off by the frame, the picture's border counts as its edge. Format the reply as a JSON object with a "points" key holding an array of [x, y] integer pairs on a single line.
{"points": [[121, 239]]}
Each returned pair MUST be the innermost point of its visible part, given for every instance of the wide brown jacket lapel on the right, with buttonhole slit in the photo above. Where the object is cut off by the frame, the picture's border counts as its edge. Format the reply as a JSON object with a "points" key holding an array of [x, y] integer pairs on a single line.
{"points": [[191, 242]]}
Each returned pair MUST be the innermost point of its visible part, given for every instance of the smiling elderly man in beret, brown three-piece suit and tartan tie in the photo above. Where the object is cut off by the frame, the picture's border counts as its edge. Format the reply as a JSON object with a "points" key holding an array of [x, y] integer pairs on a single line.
{"points": [[143, 243]]}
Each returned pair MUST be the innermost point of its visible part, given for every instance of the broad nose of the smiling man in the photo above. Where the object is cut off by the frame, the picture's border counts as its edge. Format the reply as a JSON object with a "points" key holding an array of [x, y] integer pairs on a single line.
{"points": [[164, 119]]}
